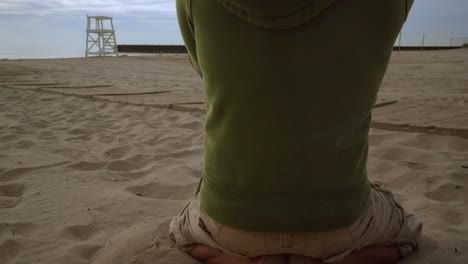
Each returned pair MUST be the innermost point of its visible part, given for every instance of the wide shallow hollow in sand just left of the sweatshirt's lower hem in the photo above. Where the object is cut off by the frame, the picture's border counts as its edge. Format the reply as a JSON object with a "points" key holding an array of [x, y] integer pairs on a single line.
{"points": [[157, 190]]}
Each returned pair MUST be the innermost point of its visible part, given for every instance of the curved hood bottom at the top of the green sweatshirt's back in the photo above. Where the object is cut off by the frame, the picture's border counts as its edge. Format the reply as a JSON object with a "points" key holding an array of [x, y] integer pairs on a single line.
{"points": [[276, 14]]}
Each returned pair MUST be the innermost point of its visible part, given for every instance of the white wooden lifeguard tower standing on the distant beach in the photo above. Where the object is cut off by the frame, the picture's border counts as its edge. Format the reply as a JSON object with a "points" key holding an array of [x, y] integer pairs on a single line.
{"points": [[100, 36]]}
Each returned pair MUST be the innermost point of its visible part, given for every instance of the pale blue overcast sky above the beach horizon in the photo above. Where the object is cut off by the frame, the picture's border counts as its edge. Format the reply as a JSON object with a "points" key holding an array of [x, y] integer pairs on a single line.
{"points": [[56, 28]]}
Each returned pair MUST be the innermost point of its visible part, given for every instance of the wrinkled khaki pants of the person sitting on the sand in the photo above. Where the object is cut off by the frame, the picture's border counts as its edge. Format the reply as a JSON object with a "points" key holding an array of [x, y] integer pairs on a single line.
{"points": [[383, 223]]}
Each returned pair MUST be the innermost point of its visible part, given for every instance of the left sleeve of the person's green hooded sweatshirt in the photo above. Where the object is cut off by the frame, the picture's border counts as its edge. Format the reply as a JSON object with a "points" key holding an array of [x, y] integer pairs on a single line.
{"points": [[187, 30]]}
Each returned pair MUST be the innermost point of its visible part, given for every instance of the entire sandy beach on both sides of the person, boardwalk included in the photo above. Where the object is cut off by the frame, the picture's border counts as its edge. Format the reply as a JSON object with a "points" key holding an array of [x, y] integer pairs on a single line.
{"points": [[97, 155]]}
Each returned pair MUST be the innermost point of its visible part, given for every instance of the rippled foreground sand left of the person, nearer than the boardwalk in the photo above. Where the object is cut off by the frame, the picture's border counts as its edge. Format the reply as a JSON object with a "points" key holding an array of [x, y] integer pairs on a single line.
{"points": [[75, 173]]}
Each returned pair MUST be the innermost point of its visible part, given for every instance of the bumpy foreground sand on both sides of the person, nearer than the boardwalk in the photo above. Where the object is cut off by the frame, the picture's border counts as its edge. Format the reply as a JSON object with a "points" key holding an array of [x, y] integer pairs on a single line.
{"points": [[88, 181]]}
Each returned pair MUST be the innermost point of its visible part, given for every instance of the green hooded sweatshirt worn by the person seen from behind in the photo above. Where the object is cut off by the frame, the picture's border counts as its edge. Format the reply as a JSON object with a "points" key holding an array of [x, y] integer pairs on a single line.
{"points": [[289, 88]]}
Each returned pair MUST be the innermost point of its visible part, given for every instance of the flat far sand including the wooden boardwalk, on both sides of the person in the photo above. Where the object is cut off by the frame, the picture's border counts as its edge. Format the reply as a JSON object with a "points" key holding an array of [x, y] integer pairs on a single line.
{"points": [[414, 83]]}
